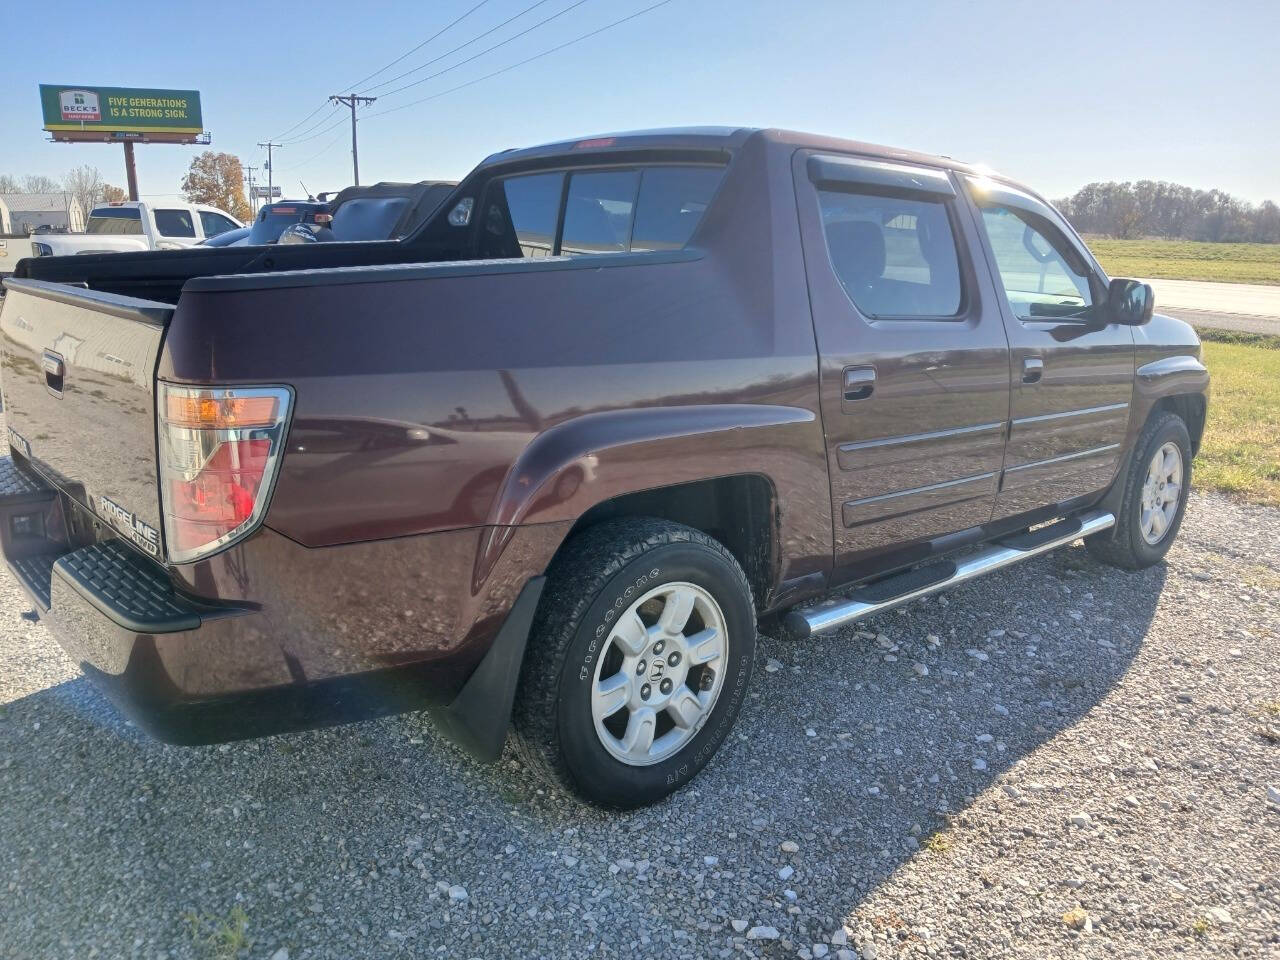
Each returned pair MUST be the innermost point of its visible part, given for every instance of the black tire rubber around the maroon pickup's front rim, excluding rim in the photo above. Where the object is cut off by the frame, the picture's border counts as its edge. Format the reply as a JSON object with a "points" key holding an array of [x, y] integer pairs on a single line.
{"points": [[1124, 545]]}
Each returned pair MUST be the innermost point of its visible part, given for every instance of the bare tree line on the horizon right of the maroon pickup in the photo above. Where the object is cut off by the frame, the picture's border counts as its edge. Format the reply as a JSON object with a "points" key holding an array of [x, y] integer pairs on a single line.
{"points": [[1171, 211]]}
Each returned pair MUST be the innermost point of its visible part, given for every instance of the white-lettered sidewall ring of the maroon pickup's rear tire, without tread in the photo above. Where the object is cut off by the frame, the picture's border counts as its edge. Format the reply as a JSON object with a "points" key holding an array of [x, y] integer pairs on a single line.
{"points": [[600, 775]]}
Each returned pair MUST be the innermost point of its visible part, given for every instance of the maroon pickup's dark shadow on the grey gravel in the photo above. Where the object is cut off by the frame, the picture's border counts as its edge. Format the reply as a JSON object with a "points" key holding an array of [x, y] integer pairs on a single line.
{"points": [[858, 749]]}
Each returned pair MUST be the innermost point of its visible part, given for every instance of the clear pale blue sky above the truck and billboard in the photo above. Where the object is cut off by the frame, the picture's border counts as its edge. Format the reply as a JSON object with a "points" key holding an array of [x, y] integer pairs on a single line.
{"points": [[1058, 94]]}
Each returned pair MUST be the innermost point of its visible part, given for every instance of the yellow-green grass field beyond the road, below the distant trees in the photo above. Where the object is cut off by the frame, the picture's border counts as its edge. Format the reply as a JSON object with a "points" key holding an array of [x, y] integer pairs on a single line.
{"points": [[1188, 260]]}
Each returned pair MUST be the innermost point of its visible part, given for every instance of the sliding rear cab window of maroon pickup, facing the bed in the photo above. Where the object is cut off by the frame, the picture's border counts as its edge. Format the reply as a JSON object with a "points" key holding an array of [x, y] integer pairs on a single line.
{"points": [[589, 212]]}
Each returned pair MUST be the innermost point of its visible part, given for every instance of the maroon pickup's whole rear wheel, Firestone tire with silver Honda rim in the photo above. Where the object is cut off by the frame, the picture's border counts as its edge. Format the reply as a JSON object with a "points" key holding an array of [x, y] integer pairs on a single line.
{"points": [[638, 662]]}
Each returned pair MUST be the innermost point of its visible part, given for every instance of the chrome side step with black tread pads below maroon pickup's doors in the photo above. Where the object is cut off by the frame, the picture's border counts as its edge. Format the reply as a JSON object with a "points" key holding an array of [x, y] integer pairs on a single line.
{"points": [[834, 615]]}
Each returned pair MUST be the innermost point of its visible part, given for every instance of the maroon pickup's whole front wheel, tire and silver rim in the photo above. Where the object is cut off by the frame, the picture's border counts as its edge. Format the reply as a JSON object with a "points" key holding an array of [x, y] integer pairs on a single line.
{"points": [[1155, 499]]}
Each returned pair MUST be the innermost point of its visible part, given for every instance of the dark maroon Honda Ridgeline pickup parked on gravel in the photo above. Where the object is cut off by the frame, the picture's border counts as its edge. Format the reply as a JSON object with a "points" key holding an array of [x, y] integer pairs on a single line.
{"points": [[548, 460]]}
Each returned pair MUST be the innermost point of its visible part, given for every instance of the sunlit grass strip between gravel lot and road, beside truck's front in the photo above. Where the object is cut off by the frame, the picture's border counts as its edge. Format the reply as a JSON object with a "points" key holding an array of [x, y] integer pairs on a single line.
{"points": [[1241, 451]]}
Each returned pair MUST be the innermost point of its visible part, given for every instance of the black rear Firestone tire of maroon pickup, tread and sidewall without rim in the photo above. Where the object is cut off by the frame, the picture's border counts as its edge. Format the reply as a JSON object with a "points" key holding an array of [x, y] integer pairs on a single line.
{"points": [[598, 577]]}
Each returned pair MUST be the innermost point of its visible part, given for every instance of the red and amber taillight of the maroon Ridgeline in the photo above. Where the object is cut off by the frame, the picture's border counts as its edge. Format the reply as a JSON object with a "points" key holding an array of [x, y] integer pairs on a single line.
{"points": [[220, 452]]}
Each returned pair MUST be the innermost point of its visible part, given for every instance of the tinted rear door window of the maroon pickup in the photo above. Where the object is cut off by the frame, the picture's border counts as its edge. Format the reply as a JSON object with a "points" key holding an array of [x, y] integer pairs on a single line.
{"points": [[894, 257]]}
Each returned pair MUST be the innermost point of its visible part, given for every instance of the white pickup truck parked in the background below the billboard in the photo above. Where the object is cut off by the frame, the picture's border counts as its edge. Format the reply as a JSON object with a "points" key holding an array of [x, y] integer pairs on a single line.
{"points": [[132, 226]]}
